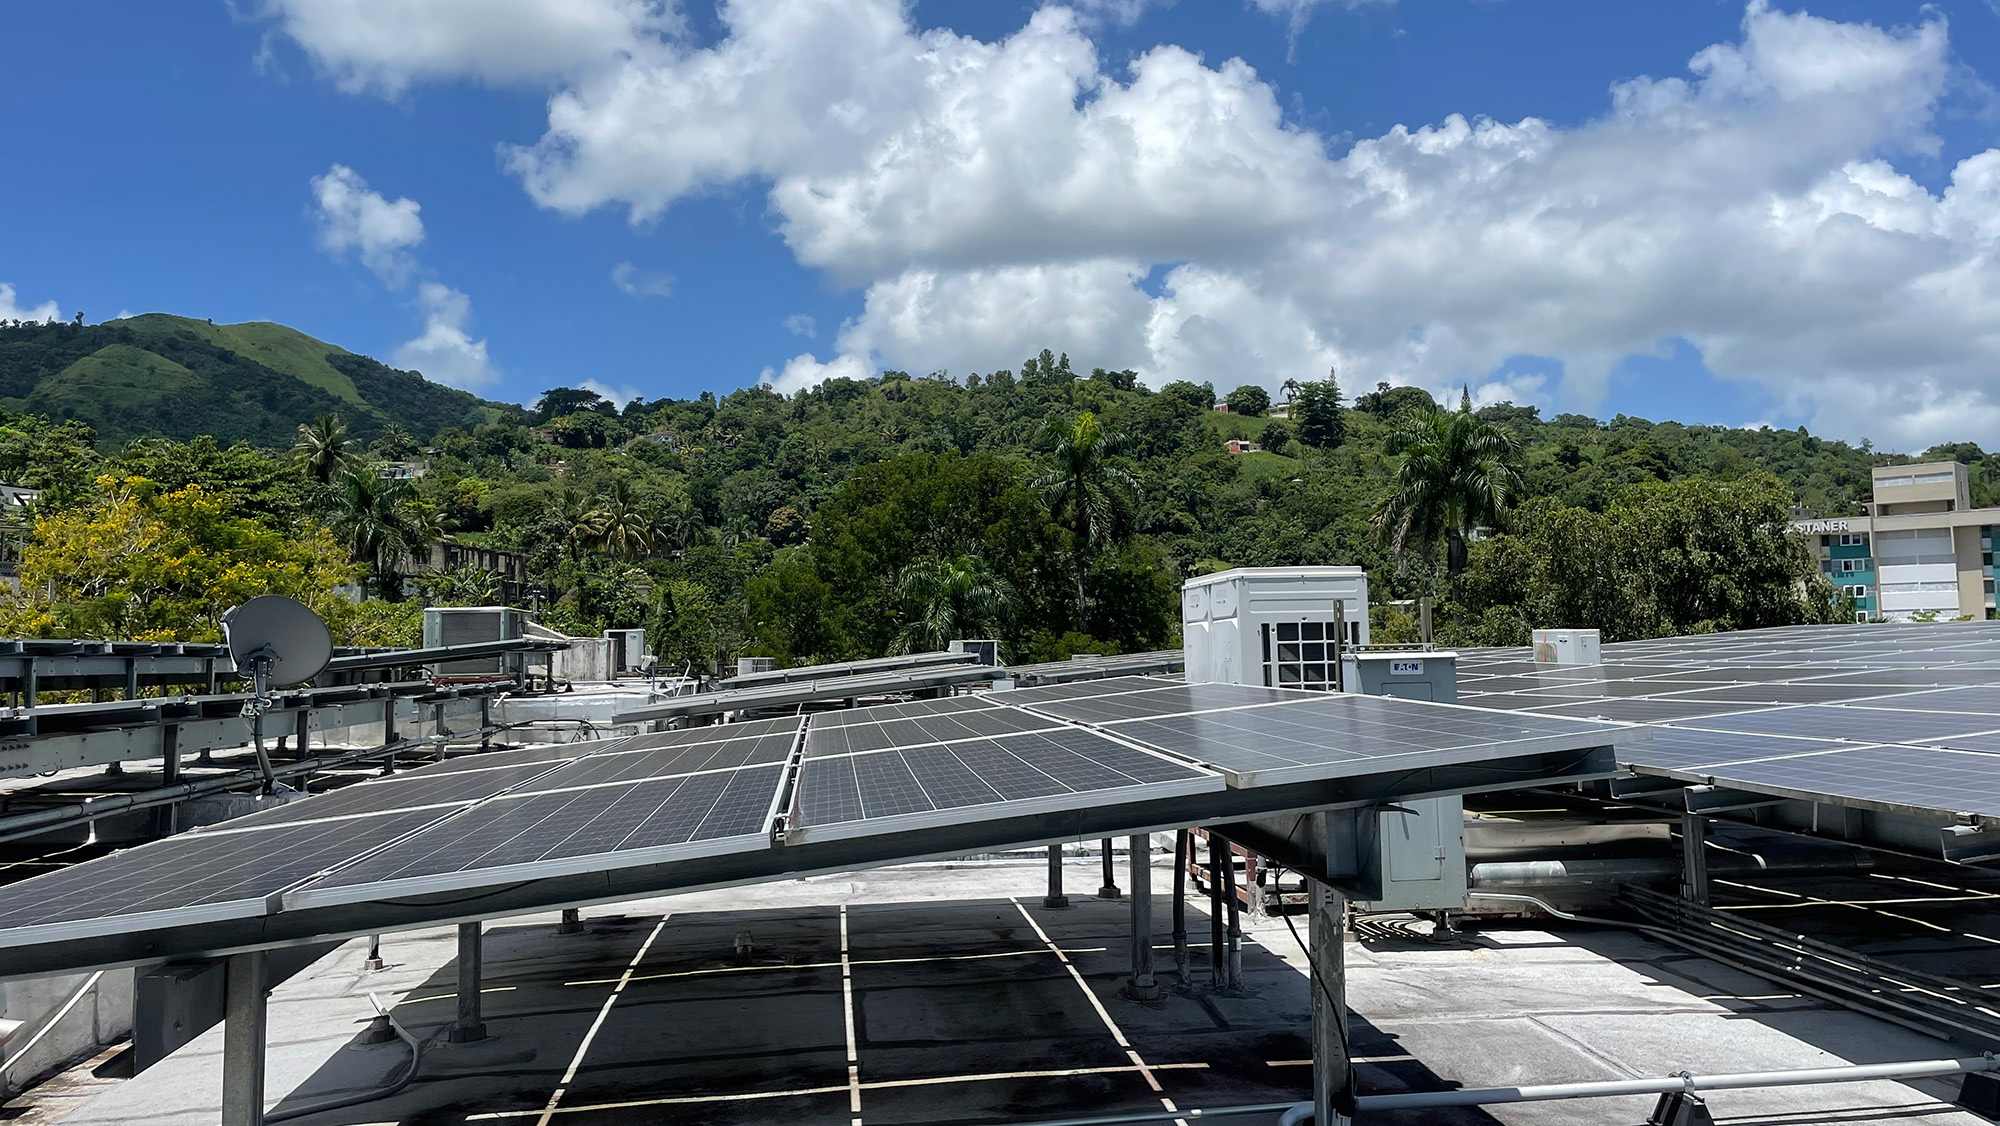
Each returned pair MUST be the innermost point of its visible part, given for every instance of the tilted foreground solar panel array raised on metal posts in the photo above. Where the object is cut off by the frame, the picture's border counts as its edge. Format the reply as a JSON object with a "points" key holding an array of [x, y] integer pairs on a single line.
{"points": [[515, 817]]}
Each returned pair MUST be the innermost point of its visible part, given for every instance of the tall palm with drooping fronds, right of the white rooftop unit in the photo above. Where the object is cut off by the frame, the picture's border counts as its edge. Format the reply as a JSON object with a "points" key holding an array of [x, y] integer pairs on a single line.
{"points": [[1457, 475]]}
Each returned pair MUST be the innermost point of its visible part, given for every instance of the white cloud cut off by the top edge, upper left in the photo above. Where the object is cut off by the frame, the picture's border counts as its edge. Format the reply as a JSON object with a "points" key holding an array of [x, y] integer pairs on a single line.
{"points": [[387, 45]]}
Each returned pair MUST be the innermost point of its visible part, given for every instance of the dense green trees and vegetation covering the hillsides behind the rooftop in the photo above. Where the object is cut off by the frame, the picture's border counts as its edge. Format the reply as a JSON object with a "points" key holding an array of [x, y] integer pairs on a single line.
{"points": [[1051, 509]]}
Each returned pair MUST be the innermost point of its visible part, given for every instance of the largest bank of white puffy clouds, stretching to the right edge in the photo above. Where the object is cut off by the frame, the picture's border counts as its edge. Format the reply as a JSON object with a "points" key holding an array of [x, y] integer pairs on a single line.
{"points": [[1167, 215]]}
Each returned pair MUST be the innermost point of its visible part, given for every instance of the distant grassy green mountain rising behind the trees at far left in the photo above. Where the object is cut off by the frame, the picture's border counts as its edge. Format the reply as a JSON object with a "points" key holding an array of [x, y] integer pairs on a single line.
{"points": [[173, 377]]}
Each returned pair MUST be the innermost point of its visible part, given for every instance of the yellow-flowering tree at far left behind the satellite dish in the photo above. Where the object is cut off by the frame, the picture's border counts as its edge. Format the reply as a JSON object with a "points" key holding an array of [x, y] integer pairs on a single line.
{"points": [[159, 565]]}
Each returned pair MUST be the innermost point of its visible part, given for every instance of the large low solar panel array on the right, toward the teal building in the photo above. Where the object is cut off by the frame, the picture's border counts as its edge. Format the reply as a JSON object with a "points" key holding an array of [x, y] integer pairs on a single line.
{"points": [[1865, 715]]}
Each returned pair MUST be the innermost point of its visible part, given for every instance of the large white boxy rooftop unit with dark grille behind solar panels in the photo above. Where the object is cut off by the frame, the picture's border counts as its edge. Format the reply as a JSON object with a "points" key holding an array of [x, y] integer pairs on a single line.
{"points": [[1277, 625]]}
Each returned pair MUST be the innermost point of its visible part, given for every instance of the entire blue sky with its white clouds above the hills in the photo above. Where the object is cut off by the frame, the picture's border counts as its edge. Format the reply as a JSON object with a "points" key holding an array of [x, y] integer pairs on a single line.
{"points": [[165, 159]]}
